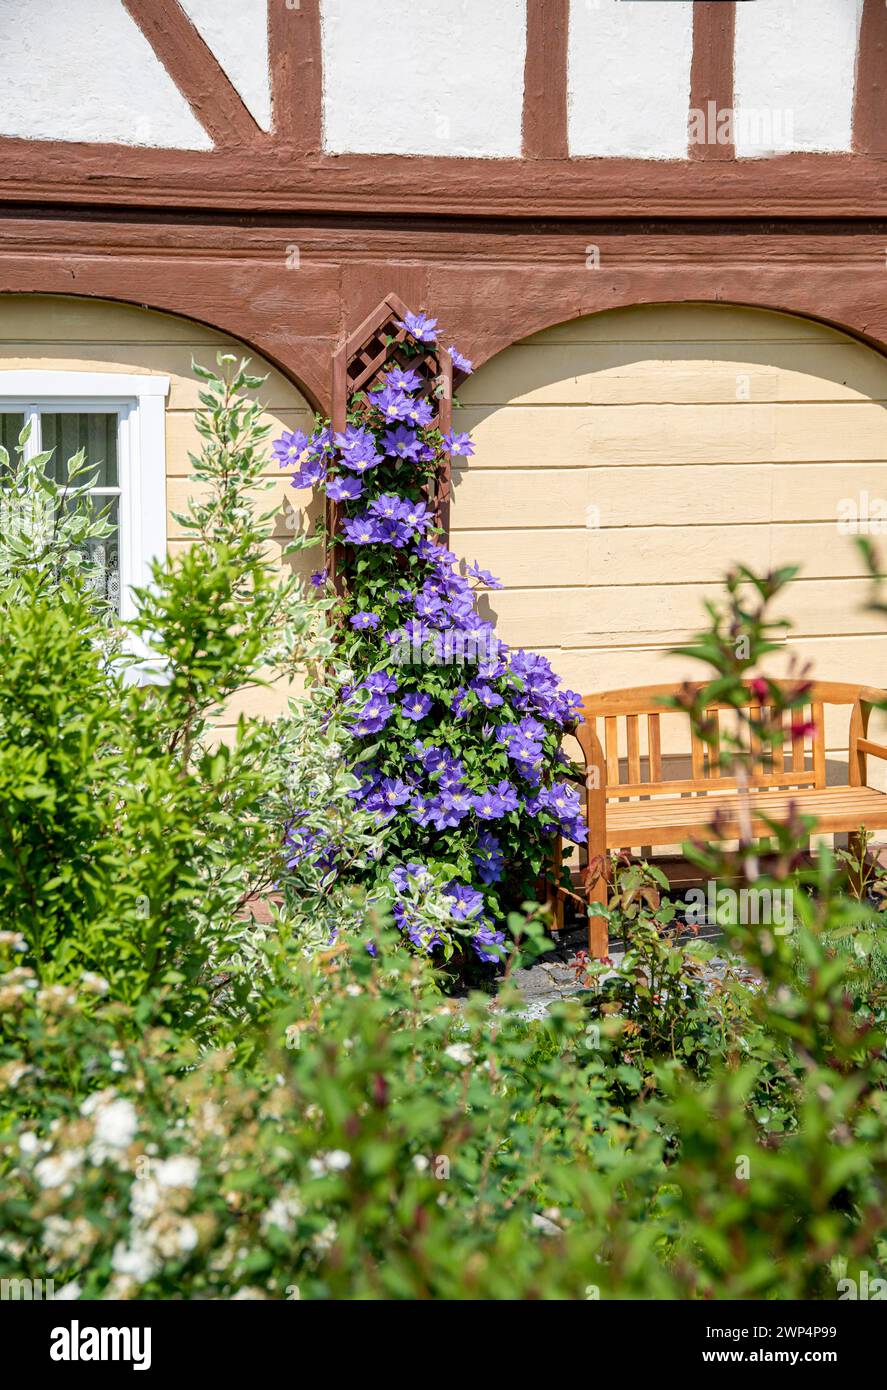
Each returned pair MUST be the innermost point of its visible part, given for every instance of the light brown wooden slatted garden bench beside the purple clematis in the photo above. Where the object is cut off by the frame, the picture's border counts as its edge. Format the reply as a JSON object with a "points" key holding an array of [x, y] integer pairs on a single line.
{"points": [[635, 803]]}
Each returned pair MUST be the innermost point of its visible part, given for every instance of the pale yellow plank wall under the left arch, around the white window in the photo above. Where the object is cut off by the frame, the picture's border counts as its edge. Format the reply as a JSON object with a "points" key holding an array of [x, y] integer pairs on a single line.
{"points": [[67, 334]]}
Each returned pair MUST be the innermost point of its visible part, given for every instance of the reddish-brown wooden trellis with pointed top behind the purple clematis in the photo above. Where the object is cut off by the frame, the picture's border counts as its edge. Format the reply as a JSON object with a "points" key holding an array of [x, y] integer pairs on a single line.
{"points": [[365, 361]]}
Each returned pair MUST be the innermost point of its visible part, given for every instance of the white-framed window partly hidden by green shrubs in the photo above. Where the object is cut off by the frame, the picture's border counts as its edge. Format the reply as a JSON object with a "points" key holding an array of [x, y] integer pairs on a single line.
{"points": [[119, 420]]}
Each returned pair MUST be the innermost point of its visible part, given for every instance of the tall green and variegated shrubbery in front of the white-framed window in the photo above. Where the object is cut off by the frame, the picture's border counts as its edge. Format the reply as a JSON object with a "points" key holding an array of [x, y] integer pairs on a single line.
{"points": [[131, 839]]}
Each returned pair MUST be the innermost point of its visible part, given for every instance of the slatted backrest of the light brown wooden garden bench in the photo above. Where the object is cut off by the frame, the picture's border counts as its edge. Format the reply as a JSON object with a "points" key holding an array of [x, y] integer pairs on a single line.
{"points": [[622, 736]]}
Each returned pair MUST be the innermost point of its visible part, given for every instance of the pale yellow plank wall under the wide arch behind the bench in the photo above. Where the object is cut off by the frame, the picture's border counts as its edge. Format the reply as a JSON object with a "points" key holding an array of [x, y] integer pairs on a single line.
{"points": [[703, 436]]}
